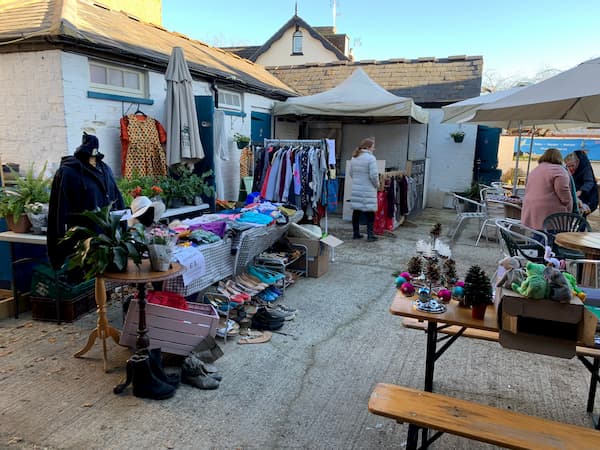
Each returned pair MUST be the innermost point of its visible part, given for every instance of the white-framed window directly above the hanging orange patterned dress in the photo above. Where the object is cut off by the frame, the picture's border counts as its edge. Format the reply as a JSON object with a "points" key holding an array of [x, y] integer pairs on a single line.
{"points": [[117, 80]]}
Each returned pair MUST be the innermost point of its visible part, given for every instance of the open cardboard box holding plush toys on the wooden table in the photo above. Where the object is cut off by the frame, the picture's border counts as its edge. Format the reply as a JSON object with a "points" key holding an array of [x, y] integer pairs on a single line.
{"points": [[540, 326]]}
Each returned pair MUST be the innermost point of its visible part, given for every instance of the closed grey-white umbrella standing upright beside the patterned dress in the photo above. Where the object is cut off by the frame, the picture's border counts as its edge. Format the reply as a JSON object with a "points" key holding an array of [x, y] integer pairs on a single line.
{"points": [[183, 136]]}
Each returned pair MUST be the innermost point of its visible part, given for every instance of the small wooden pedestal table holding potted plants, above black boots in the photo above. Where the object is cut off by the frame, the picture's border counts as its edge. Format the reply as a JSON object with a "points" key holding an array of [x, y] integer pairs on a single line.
{"points": [[133, 275]]}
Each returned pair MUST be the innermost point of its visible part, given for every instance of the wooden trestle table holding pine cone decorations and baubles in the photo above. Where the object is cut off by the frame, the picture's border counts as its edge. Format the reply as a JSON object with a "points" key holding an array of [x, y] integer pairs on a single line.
{"points": [[461, 317]]}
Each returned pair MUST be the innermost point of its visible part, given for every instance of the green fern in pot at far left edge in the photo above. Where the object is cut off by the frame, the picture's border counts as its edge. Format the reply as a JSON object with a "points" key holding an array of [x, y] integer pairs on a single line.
{"points": [[30, 188]]}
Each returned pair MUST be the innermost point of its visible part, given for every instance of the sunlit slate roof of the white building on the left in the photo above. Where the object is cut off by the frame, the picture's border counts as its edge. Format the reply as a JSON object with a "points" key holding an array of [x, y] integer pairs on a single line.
{"points": [[83, 27]]}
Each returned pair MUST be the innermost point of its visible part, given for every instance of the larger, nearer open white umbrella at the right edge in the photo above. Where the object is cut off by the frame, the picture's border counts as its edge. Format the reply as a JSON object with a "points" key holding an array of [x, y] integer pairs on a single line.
{"points": [[569, 99]]}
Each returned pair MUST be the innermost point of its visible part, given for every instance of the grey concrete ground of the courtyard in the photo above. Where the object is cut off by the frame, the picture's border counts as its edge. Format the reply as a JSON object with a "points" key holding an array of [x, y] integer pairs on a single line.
{"points": [[306, 390]]}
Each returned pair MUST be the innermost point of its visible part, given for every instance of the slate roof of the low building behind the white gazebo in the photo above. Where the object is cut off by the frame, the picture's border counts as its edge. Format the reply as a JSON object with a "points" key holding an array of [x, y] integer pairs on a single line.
{"points": [[430, 82]]}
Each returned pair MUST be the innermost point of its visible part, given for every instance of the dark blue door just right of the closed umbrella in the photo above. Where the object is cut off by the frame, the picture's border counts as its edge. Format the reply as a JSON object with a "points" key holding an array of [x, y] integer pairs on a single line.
{"points": [[205, 111]]}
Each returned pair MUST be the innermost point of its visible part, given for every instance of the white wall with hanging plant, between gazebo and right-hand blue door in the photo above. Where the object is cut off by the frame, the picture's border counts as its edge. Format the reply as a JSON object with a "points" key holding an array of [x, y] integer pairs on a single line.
{"points": [[451, 163]]}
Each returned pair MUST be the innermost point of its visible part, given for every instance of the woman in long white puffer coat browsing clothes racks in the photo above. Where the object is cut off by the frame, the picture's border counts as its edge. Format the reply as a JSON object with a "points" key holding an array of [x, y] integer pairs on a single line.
{"points": [[365, 180]]}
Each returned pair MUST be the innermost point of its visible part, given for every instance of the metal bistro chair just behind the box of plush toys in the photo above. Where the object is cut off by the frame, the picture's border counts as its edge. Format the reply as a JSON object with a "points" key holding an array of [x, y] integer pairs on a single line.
{"points": [[520, 240]]}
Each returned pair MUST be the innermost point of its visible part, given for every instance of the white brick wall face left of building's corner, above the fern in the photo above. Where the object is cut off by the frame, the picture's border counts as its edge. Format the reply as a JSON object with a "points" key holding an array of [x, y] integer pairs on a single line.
{"points": [[32, 125]]}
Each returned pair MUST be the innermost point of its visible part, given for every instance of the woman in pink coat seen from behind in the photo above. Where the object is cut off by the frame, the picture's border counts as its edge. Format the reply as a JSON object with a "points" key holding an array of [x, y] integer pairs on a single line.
{"points": [[548, 190]]}
